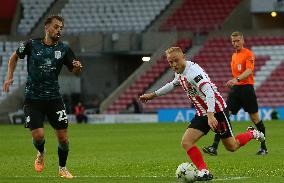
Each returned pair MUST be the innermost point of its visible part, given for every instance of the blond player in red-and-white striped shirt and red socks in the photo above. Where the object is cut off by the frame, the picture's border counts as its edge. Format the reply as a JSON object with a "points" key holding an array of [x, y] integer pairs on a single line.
{"points": [[211, 110]]}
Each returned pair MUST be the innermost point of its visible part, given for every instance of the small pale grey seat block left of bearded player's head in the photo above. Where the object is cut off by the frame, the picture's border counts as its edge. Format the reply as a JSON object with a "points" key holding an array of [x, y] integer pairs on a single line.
{"points": [[33, 10]]}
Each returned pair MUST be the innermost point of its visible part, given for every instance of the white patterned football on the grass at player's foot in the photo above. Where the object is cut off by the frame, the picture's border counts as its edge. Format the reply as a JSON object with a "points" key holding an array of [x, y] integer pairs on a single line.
{"points": [[186, 172]]}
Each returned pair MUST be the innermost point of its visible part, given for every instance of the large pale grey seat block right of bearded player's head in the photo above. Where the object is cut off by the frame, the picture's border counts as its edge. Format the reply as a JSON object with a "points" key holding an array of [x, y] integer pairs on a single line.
{"points": [[110, 15]]}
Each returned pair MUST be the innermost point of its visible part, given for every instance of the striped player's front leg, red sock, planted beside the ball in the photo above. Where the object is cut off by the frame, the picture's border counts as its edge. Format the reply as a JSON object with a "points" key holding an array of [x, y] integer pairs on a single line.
{"points": [[190, 137]]}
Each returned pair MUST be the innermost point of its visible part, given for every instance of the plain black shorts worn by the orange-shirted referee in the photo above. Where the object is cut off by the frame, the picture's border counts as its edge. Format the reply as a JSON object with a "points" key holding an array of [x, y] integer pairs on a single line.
{"points": [[242, 96]]}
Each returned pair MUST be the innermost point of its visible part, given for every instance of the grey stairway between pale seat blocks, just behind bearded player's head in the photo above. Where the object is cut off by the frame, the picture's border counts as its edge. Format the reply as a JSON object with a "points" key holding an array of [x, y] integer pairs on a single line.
{"points": [[54, 9]]}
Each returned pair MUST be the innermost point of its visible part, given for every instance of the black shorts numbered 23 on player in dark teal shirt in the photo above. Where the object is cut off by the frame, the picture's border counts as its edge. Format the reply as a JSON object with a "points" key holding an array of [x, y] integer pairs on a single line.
{"points": [[37, 110]]}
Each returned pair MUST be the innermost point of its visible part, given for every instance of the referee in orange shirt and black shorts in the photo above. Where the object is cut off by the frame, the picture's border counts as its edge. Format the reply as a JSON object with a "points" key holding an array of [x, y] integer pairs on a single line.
{"points": [[242, 94]]}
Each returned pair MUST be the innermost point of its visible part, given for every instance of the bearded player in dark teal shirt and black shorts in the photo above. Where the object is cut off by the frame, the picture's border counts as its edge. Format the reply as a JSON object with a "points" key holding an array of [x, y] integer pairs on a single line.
{"points": [[45, 58]]}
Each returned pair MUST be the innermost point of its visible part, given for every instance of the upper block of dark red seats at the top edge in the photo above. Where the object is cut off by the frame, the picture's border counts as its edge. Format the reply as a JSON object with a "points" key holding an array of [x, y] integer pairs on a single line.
{"points": [[199, 16]]}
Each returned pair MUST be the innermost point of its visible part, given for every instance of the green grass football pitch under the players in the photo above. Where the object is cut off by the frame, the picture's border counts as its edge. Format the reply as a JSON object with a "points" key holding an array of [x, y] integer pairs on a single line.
{"points": [[136, 153]]}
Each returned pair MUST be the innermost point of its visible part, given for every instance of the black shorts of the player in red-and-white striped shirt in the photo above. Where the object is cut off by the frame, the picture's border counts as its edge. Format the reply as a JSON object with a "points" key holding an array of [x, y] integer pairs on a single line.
{"points": [[224, 126]]}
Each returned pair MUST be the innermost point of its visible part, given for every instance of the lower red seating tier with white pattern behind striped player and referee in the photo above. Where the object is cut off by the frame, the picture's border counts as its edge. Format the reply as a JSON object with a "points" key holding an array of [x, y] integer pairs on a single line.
{"points": [[215, 57]]}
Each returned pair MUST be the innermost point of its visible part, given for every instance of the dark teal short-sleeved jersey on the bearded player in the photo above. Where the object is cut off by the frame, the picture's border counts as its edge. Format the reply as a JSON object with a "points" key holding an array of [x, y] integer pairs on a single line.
{"points": [[44, 64]]}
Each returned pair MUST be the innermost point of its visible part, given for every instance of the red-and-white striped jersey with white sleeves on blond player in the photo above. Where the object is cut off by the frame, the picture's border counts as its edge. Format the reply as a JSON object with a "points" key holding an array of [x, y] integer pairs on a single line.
{"points": [[199, 88]]}
